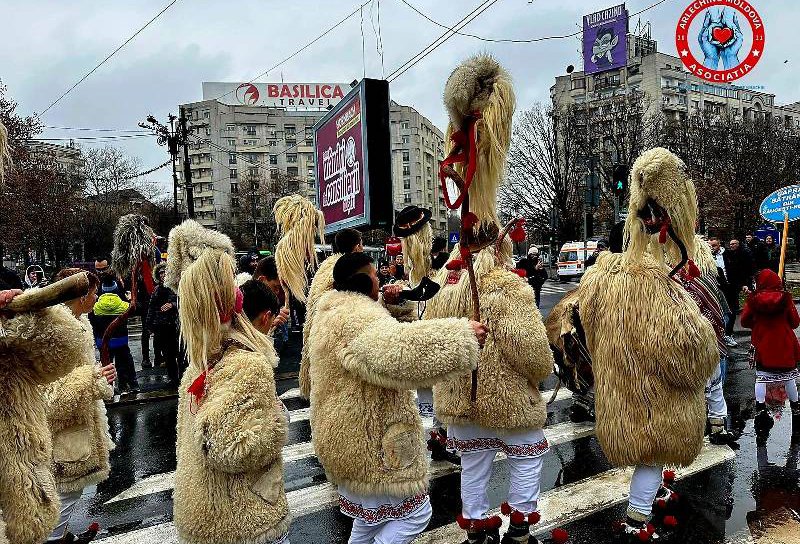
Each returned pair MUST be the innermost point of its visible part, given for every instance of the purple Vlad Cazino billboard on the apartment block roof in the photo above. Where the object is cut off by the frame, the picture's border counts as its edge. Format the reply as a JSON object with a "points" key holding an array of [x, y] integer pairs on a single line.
{"points": [[605, 40]]}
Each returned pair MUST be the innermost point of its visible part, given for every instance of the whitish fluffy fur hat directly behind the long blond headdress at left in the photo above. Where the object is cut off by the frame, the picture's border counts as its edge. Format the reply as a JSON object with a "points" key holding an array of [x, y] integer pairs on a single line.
{"points": [[186, 242]]}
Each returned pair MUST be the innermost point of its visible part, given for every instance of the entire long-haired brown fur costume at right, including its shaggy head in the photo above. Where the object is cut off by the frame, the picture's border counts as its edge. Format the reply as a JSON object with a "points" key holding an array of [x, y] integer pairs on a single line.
{"points": [[637, 317]]}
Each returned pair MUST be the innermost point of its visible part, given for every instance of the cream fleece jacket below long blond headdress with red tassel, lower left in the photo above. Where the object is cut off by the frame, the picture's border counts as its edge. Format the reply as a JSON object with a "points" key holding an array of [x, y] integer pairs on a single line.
{"points": [[229, 478]]}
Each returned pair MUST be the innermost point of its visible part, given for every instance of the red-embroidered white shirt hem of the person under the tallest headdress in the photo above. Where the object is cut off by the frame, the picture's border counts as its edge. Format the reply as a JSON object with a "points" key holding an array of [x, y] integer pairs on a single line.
{"points": [[472, 438]]}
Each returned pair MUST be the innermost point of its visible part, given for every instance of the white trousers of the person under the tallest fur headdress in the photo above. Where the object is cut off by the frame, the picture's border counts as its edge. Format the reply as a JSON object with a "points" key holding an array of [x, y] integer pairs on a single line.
{"points": [[476, 471]]}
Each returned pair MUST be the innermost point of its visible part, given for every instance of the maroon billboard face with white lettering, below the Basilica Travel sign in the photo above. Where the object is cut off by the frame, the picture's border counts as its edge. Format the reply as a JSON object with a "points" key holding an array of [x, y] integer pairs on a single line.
{"points": [[341, 169]]}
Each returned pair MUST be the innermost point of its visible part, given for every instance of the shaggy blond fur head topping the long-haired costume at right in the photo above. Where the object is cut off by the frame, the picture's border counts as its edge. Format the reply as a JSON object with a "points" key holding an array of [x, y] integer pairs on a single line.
{"points": [[660, 176]]}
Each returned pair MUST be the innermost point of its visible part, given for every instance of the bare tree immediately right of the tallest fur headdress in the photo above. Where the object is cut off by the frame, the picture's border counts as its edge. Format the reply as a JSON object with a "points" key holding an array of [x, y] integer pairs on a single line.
{"points": [[545, 171]]}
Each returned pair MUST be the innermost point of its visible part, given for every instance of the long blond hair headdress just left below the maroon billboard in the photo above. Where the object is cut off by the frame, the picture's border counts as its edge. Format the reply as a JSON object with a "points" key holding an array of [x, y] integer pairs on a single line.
{"points": [[299, 222]]}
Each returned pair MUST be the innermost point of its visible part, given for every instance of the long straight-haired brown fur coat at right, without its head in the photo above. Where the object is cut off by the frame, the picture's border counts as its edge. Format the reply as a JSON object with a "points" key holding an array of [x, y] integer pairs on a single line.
{"points": [[652, 353]]}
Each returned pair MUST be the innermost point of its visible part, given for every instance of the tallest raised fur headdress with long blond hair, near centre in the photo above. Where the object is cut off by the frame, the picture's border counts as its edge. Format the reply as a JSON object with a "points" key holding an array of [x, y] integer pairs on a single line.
{"points": [[480, 85]]}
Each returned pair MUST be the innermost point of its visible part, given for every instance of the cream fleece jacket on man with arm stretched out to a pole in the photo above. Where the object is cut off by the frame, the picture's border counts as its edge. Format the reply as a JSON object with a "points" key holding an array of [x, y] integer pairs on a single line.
{"points": [[366, 426]]}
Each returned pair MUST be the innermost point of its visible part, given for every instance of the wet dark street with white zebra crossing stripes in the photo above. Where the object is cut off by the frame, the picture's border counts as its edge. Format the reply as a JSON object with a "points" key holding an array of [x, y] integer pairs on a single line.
{"points": [[723, 495]]}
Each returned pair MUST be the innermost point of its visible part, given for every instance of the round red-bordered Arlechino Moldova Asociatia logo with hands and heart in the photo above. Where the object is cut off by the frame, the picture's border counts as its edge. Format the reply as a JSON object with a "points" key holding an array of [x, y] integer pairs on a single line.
{"points": [[726, 50]]}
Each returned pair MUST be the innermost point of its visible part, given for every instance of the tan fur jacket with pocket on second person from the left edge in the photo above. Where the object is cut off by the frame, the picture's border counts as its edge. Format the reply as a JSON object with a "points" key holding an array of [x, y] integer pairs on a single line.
{"points": [[76, 414]]}
